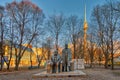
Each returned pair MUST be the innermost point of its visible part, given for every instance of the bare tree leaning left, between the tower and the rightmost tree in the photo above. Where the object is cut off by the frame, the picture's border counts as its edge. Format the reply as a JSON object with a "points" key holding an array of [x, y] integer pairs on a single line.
{"points": [[103, 41]]}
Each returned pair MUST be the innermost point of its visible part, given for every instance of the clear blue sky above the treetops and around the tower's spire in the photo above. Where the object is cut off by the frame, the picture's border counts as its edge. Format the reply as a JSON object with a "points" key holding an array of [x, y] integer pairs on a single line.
{"points": [[67, 7]]}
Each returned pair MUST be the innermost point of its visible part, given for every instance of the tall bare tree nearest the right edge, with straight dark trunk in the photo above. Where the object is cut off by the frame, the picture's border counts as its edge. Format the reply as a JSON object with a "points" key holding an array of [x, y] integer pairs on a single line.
{"points": [[112, 20]]}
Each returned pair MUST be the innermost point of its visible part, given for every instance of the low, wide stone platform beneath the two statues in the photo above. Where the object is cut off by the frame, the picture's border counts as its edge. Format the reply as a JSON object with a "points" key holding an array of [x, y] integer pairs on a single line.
{"points": [[44, 74]]}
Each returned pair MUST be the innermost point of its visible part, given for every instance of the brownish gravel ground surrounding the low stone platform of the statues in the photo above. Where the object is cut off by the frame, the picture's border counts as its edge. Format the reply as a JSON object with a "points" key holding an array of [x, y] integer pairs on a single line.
{"points": [[92, 74]]}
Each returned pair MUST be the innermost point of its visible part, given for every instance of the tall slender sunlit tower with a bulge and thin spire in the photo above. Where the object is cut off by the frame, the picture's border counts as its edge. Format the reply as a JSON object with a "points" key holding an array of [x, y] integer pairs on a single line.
{"points": [[85, 27]]}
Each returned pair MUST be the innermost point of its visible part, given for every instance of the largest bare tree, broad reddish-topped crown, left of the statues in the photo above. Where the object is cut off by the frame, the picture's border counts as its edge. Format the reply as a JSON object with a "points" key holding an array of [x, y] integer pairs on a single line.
{"points": [[27, 18]]}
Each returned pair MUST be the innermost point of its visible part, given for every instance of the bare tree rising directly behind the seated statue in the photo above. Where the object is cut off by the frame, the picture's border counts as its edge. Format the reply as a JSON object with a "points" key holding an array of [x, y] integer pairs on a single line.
{"points": [[55, 24]]}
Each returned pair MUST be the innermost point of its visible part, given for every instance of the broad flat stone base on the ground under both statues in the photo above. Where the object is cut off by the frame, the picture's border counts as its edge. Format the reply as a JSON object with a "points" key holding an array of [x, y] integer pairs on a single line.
{"points": [[60, 76]]}
